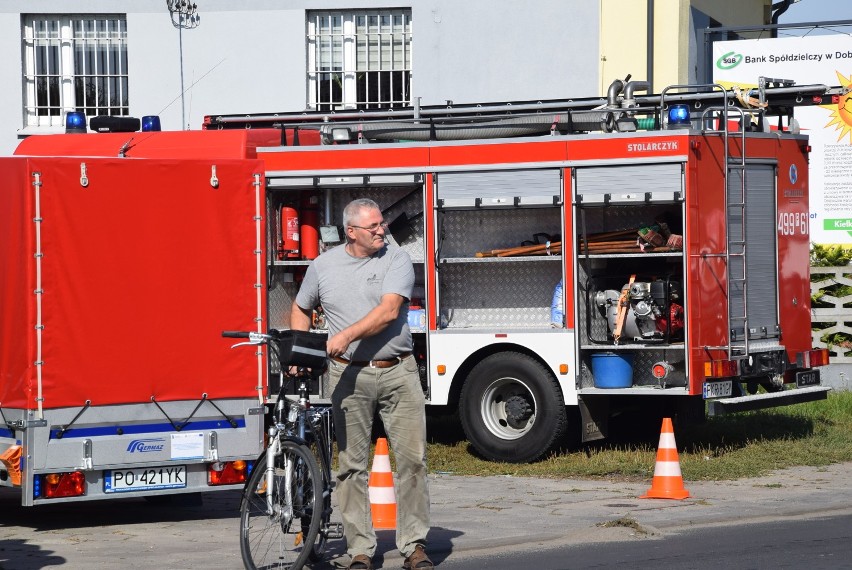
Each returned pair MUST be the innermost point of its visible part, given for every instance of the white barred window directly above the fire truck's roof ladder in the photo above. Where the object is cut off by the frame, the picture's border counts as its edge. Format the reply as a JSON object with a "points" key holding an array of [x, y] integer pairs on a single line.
{"points": [[359, 59]]}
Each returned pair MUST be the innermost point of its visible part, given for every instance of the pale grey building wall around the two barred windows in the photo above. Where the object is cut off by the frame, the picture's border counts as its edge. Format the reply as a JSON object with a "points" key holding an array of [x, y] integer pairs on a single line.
{"points": [[249, 57]]}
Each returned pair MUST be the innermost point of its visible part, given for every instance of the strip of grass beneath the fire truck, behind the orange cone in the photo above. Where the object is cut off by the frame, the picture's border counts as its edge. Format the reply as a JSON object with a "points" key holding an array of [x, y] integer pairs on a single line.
{"points": [[749, 444]]}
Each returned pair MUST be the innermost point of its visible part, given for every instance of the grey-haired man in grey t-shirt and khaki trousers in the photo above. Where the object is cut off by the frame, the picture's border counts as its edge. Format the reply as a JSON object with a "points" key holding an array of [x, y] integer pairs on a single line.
{"points": [[364, 287]]}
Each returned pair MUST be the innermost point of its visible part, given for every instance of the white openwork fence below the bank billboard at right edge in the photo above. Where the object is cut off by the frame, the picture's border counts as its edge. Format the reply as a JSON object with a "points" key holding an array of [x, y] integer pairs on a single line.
{"points": [[838, 317]]}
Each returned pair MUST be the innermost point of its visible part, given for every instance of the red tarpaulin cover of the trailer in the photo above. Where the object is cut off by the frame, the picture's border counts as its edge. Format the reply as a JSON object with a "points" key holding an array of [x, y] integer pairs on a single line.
{"points": [[127, 320]]}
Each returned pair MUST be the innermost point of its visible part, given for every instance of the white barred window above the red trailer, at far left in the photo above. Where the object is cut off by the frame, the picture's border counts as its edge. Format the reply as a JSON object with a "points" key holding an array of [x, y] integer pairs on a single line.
{"points": [[74, 63]]}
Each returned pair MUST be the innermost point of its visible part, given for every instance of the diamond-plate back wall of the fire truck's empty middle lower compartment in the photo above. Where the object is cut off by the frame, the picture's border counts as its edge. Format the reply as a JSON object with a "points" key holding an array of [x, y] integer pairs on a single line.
{"points": [[497, 294]]}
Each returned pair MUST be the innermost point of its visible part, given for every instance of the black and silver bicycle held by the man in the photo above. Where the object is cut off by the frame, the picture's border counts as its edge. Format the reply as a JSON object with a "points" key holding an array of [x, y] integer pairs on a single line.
{"points": [[285, 510]]}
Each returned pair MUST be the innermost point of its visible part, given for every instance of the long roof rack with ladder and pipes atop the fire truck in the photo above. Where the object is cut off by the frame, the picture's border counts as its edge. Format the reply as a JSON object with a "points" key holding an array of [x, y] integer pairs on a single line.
{"points": [[621, 110]]}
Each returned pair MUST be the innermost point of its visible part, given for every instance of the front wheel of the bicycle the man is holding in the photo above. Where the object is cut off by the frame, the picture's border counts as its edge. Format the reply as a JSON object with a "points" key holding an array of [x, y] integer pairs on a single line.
{"points": [[280, 511]]}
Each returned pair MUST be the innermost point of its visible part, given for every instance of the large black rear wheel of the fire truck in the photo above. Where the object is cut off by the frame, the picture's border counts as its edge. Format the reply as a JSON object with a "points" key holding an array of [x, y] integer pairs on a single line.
{"points": [[511, 408]]}
